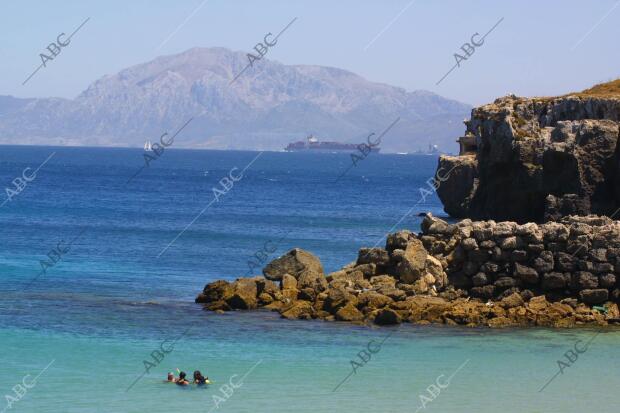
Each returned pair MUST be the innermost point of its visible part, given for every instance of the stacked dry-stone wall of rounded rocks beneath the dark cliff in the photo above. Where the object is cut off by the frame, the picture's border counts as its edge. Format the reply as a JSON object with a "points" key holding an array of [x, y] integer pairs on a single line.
{"points": [[578, 257]]}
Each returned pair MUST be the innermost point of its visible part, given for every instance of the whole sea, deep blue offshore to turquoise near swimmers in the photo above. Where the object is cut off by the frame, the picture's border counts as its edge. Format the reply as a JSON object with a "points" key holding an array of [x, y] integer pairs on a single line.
{"points": [[103, 250]]}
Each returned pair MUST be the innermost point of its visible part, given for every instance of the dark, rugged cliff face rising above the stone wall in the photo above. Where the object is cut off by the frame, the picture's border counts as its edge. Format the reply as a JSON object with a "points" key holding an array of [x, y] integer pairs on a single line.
{"points": [[536, 160]]}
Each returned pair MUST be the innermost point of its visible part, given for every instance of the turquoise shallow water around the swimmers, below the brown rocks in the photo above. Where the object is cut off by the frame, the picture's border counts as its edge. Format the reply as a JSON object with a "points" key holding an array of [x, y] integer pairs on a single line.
{"points": [[300, 364]]}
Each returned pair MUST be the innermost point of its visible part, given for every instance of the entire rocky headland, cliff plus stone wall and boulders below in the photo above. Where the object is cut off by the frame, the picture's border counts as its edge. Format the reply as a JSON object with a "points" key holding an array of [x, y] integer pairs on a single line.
{"points": [[541, 168]]}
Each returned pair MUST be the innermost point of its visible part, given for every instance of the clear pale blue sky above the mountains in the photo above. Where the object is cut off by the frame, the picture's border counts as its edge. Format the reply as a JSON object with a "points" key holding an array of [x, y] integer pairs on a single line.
{"points": [[536, 48]]}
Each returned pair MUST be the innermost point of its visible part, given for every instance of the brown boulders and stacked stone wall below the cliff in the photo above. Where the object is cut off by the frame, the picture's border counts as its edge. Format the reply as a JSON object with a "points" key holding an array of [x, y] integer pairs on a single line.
{"points": [[559, 274]]}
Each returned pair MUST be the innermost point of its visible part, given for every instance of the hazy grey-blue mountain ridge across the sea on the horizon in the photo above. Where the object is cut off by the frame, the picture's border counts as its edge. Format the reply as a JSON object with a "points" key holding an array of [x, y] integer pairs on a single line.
{"points": [[268, 106]]}
